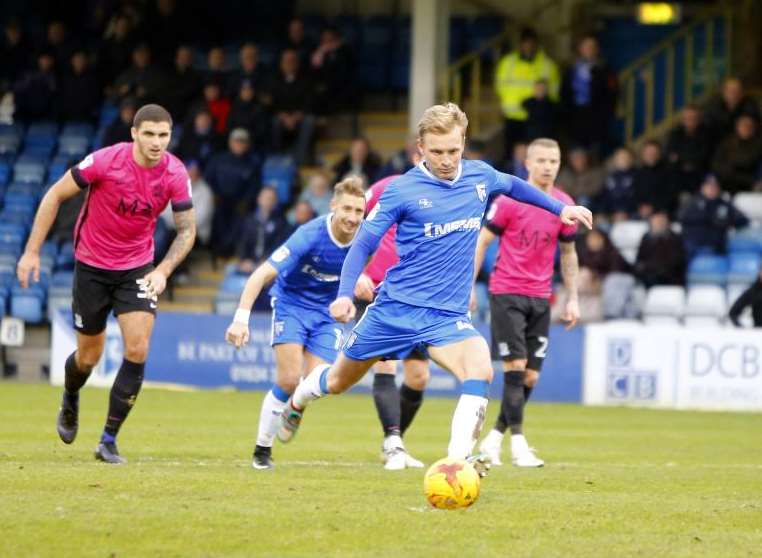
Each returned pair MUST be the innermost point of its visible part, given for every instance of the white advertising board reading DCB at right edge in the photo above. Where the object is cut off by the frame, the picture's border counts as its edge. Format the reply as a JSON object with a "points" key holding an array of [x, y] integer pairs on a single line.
{"points": [[673, 367]]}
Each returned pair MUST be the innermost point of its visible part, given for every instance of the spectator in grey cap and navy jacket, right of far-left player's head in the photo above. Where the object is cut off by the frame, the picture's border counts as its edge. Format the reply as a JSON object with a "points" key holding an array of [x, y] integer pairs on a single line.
{"points": [[234, 176]]}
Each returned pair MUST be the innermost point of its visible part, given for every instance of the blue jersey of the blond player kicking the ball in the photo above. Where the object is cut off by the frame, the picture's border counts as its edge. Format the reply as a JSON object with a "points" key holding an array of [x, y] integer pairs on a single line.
{"points": [[438, 222]]}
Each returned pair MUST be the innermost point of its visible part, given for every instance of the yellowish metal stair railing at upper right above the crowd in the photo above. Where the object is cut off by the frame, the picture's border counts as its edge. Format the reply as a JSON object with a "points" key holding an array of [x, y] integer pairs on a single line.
{"points": [[684, 68]]}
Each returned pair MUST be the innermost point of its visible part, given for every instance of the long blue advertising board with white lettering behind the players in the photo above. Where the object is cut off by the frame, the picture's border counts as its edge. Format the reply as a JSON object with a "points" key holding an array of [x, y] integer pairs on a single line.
{"points": [[190, 350]]}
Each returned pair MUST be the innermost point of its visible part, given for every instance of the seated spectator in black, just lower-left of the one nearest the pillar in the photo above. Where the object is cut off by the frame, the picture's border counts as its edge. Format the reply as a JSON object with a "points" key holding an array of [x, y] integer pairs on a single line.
{"points": [[293, 121]]}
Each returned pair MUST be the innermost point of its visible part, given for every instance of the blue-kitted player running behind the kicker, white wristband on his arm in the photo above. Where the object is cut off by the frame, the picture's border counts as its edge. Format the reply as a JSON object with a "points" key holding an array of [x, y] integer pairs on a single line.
{"points": [[306, 271]]}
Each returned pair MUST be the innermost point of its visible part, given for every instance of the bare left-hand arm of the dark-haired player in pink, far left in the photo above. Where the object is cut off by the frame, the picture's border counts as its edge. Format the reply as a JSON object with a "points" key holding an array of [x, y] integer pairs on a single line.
{"points": [[29, 262]]}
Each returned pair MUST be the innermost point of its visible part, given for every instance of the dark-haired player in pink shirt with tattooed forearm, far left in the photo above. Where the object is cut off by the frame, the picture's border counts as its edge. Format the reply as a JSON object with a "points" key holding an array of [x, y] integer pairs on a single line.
{"points": [[128, 186]]}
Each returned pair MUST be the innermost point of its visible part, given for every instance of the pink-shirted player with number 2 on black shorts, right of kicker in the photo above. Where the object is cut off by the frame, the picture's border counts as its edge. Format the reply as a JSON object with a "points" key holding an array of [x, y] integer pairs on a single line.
{"points": [[520, 287]]}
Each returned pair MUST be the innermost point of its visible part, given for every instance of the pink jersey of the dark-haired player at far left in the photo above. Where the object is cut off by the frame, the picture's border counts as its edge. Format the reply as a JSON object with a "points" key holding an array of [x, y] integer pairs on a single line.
{"points": [[115, 227]]}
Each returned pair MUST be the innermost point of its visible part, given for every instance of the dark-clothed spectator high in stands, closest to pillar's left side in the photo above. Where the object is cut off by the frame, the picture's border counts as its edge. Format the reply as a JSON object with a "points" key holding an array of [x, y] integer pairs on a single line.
{"points": [[334, 70]]}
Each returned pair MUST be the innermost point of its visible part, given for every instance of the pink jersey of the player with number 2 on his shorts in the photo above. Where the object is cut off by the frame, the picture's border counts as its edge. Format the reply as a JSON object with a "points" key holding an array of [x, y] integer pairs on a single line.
{"points": [[528, 239]]}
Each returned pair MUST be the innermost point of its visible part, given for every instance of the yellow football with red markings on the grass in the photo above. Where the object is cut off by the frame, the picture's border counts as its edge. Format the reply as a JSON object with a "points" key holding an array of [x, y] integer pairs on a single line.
{"points": [[451, 484]]}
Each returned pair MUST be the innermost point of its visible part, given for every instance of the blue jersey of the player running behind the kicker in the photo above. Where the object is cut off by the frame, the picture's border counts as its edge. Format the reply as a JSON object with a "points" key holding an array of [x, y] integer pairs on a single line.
{"points": [[309, 266]]}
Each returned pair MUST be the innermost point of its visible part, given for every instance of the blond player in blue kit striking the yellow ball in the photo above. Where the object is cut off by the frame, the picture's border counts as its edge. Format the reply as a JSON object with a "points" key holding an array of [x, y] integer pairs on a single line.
{"points": [[423, 303]]}
